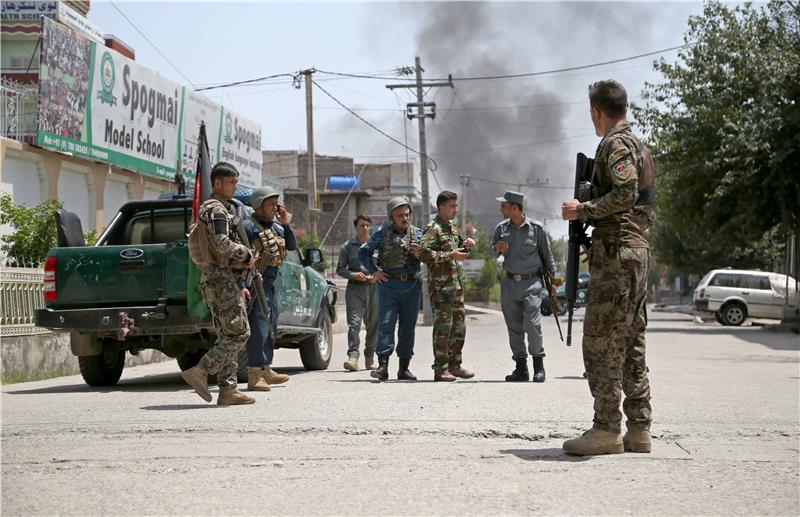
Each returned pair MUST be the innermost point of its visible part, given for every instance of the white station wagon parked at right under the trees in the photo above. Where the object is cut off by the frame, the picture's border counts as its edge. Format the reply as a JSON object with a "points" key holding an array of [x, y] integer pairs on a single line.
{"points": [[733, 295]]}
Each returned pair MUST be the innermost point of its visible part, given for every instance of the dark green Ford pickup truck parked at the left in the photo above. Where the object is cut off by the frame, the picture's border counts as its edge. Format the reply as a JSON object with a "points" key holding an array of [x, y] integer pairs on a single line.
{"points": [[128, 293]]}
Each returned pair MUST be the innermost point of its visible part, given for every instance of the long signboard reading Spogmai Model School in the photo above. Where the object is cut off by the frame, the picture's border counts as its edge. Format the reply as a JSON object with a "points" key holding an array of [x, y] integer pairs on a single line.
{"points": [[98, 104]]}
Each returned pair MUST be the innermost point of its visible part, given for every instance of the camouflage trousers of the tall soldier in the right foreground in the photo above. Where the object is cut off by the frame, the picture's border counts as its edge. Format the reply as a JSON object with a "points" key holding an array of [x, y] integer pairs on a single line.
{"points": [[613, 335]]}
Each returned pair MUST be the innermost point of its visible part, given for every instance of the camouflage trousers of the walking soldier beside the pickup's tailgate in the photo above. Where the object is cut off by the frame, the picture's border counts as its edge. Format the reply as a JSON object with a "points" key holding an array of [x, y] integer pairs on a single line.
{"points": [[224, 300]]}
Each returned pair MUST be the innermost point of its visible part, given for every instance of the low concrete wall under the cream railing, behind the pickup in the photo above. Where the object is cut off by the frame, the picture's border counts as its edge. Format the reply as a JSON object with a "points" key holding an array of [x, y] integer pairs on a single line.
{"points": [[50, 353]]}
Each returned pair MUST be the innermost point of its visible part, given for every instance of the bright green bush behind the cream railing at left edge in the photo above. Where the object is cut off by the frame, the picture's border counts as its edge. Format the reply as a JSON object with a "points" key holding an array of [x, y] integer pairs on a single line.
{"points": [[34, 230]]}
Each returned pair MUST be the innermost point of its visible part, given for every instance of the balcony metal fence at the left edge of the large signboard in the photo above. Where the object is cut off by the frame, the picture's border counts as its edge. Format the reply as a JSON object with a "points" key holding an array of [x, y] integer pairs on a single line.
{"points": [[18, 107]]}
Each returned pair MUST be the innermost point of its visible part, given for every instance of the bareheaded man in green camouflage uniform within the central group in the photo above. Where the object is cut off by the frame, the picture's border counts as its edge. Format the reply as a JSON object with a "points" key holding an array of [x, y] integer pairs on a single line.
{"points": [[442, 248]]}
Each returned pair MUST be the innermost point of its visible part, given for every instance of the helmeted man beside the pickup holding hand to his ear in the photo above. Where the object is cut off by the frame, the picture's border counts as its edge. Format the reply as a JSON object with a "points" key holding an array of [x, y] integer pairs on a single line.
{"points": [[271, 240]]}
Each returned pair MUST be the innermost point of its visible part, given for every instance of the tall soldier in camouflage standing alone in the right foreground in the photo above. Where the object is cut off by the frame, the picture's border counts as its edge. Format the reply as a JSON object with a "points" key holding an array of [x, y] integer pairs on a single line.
{"points": [[619, 204]]}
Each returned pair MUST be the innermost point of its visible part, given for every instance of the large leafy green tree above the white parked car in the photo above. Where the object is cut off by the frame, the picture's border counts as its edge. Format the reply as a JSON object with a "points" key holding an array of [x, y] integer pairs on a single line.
{"points": [[724, 130]]}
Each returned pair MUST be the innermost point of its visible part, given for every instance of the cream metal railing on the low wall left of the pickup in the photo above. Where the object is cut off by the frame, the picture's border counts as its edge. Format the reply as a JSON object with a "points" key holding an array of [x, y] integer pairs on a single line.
{"points": [[21, 293]]}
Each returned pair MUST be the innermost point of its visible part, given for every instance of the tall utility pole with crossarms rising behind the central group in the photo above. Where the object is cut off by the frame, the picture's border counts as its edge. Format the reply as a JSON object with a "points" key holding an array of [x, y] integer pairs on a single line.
{"points": [[421, 114]]}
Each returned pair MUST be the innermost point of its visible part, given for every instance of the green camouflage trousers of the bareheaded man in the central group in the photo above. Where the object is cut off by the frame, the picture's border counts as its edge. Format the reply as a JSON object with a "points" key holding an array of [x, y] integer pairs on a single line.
{"points": [[449, 327]]}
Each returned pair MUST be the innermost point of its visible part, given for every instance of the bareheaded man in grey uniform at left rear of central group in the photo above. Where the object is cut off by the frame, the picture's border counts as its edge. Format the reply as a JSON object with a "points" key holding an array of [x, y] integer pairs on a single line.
{"points": [[361, 297]]}
